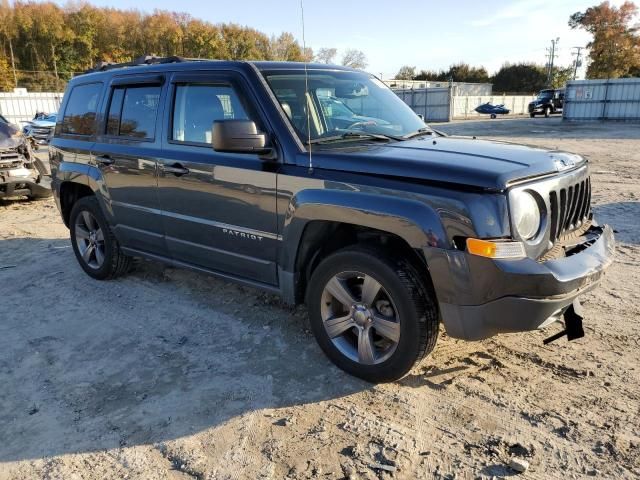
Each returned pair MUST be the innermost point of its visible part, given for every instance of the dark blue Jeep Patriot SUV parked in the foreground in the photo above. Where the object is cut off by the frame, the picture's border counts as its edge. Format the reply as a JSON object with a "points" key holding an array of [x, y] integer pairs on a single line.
{"points": [[384, 230]]}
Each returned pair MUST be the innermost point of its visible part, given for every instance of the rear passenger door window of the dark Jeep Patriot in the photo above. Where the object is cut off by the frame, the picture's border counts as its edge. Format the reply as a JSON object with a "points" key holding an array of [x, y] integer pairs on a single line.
{"points": [[133, 111]]}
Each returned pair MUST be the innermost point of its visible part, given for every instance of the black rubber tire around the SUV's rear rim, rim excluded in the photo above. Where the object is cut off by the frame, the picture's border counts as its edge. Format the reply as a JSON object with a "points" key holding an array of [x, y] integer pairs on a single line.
{"points": [[115, 262]]}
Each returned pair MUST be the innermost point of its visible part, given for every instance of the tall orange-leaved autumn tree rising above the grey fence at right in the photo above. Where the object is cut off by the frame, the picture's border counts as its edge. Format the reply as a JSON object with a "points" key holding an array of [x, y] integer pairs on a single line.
{"points": [[615, 48]]}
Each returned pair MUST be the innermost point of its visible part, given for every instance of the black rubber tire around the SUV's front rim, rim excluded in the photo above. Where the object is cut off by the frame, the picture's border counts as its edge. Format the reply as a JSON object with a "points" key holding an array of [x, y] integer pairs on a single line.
{"points": [[411, 295]]}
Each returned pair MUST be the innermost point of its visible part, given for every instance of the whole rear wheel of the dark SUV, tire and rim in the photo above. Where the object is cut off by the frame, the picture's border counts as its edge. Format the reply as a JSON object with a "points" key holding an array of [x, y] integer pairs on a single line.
{"points": [[94, 245]]}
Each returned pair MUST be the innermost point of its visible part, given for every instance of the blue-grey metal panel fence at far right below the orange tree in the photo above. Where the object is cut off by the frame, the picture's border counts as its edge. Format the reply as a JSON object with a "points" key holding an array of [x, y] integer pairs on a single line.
{"points": [[617, 99]]}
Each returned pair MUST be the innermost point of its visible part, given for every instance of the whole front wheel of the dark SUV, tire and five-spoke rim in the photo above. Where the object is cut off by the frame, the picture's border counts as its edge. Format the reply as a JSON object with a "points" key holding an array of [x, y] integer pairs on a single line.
{"points": [[371, 314]]}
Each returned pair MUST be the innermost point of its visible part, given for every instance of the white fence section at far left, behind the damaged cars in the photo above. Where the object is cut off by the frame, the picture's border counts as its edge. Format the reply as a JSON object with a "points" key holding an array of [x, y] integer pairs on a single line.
{"points": [[20, 105]]}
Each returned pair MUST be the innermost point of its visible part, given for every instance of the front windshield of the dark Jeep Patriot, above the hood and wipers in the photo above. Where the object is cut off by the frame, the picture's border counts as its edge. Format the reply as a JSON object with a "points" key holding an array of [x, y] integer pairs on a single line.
{"points": [[341, 102]]}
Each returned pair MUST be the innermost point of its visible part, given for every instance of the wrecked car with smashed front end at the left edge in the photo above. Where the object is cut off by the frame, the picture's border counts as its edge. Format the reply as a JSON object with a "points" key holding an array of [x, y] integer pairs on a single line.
{"points": [[21, 172]]}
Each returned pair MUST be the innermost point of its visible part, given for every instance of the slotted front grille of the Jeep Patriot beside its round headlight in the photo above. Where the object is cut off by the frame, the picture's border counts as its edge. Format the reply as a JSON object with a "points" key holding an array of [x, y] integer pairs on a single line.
{"points": [[570, 208]]}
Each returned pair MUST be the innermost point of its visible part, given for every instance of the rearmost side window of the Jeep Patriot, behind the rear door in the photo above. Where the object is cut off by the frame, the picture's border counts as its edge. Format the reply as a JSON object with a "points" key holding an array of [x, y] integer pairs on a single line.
{"points": [[80, 113]]}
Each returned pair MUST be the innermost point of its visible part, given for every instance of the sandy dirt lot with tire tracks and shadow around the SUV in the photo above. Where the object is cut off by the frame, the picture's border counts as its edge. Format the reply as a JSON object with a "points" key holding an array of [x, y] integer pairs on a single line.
{"points": [[172, 374]]}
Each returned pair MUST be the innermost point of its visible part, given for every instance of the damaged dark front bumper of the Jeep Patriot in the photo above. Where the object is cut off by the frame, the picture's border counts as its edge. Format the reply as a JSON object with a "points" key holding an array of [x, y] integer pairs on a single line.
{"points": [[480, 297]]}
